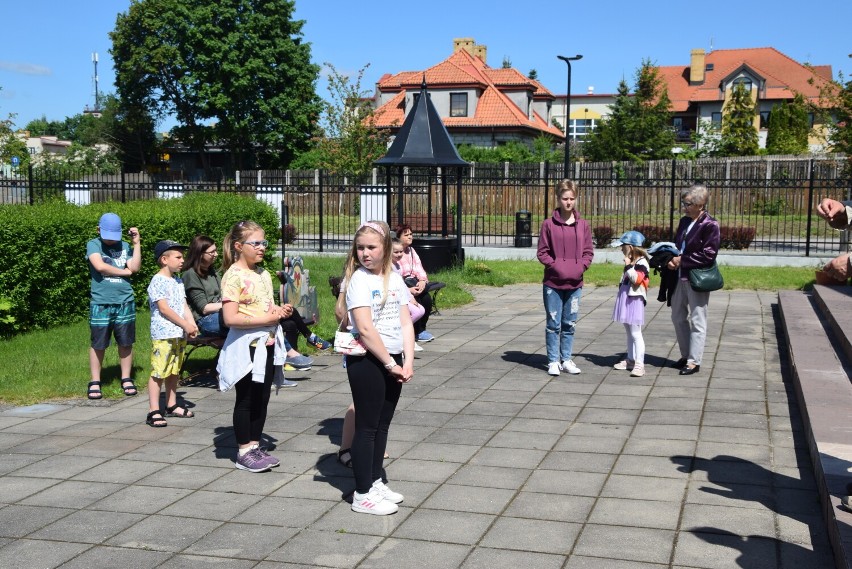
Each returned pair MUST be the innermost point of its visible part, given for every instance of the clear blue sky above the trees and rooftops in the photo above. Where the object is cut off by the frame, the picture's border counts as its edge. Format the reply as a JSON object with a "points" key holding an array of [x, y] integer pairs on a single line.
{"points": [[46, 45]]}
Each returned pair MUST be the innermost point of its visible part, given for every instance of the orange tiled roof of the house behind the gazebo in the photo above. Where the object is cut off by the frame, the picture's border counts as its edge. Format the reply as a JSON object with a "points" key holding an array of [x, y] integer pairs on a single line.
{"points": [[494, 109]]}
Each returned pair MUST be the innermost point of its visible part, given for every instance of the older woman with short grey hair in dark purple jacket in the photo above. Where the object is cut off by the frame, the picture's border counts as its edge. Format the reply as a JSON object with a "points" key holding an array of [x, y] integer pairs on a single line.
{"points": [[697, 237]]}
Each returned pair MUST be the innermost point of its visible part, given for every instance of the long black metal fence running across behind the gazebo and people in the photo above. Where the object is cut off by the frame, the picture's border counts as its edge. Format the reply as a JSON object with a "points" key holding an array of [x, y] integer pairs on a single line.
{"points": [[767, 202]]}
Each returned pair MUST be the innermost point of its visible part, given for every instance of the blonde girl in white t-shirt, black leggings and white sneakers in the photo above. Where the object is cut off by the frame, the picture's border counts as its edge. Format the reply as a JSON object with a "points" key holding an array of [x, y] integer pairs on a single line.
{"points": [[376, 299]]}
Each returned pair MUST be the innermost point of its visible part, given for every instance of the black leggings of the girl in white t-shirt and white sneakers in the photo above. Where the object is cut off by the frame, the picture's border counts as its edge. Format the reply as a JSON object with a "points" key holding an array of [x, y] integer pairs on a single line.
{"points": [[375, 393]]}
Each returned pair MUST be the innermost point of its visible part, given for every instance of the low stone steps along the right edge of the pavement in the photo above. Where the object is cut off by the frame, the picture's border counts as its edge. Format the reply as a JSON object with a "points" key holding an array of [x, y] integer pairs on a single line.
{"points": [[824, 392]]}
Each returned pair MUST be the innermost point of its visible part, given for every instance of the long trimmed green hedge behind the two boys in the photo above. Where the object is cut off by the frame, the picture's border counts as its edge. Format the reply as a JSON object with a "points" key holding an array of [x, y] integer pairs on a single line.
{"points": [[44, 277]]}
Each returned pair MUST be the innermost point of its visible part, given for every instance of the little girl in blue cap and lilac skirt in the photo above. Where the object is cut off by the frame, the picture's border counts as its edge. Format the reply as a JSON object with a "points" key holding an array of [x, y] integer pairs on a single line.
{"points": [[630, 302]]}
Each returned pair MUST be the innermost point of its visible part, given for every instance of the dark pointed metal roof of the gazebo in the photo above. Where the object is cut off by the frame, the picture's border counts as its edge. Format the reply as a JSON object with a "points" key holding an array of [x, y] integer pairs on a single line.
{"points": [[423, 139]]}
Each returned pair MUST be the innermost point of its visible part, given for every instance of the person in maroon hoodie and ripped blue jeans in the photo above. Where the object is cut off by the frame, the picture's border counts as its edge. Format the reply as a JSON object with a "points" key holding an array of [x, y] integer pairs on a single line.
{"points": [[566, 251]]}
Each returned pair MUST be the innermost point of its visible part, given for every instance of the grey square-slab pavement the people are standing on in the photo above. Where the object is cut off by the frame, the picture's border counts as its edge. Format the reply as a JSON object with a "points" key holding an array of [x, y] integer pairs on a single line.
{"points": [[500, 465]]}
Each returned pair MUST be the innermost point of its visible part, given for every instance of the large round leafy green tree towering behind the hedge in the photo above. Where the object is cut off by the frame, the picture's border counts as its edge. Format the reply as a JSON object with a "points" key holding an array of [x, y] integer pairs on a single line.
{"points": [[238, 64]]}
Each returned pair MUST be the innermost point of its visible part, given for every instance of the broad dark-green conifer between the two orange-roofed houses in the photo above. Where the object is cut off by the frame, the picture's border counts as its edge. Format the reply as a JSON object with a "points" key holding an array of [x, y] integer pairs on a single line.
{"points": [[638, 127]]}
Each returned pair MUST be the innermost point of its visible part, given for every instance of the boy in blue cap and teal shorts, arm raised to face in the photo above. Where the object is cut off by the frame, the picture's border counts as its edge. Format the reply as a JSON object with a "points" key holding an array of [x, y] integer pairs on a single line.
{"points": [[112, 308]]}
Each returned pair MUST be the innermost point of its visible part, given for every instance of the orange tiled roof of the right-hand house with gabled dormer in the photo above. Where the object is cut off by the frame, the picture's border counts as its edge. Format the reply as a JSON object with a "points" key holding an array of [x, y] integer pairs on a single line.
{"points": [[783, 76]]}
